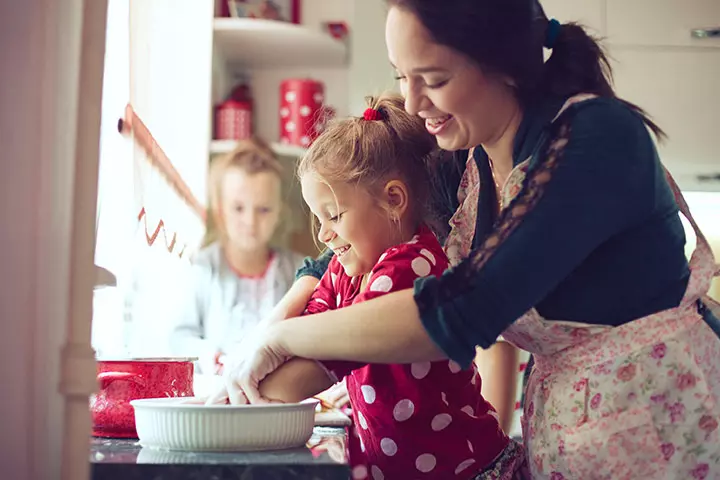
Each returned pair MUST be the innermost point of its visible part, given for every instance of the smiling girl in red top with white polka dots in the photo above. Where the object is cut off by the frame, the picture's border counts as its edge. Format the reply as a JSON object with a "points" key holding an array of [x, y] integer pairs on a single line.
{"points": [[364, 181]]}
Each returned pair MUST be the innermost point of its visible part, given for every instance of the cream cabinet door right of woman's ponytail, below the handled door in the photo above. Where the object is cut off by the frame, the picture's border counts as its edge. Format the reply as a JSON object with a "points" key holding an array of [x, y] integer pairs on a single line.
{"points": [[680, 89]]}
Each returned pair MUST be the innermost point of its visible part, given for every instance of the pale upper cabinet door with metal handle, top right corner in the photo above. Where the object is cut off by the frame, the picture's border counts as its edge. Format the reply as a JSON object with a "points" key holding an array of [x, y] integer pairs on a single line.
{"points": [[662, 22]]}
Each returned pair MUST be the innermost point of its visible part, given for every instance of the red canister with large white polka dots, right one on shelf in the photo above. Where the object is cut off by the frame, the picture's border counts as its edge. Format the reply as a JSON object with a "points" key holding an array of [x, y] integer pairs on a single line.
{"points": [[302, 116]]}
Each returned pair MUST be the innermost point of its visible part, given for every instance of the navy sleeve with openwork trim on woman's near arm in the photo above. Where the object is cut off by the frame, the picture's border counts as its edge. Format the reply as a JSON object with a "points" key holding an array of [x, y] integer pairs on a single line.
{"points": [[601, 185]]}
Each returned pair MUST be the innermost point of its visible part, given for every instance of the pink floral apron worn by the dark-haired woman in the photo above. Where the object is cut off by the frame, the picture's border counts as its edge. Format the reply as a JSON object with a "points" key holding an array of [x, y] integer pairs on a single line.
{"points": [[636, 401]]}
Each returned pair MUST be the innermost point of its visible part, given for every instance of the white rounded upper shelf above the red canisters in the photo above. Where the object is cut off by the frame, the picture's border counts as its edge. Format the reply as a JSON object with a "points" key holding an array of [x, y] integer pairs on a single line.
{"points": [[253, 43]]}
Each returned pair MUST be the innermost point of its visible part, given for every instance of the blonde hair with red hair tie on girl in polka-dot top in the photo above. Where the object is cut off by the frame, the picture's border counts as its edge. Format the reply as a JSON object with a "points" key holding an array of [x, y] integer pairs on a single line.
{"points": [[369, 152]]}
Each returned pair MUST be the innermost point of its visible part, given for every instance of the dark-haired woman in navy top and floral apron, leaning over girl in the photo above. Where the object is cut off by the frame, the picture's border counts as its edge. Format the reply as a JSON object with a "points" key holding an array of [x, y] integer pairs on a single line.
{"points": [[583, 264]]}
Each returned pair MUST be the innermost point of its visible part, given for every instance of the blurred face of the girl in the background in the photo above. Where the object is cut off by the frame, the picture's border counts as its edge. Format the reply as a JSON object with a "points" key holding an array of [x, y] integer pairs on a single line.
{"points": [[250, 207]]}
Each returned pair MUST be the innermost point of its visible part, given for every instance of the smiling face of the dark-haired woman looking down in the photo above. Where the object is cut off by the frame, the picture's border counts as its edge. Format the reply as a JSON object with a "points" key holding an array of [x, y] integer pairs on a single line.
{"points": [[461, 105]]}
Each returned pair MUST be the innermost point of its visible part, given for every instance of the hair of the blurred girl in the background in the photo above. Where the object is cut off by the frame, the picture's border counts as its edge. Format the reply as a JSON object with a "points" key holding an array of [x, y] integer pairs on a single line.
{"points": [[251, 156]]}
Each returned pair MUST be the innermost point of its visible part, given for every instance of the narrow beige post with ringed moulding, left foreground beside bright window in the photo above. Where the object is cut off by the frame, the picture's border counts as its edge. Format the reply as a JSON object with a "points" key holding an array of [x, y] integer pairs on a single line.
{"points": [[78, 359]]}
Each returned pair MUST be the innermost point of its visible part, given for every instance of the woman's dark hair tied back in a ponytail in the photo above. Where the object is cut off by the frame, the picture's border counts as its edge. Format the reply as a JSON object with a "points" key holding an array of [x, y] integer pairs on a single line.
{"points": [[507, 37]]}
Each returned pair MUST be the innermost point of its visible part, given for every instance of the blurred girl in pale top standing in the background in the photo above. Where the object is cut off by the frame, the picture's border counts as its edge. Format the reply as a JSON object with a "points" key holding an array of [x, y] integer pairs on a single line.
{"points": [[237, 278]]}
